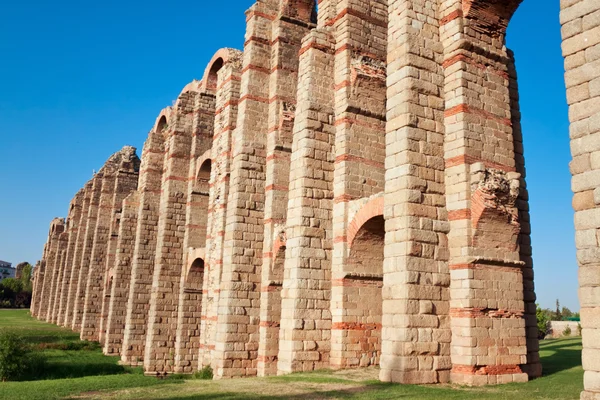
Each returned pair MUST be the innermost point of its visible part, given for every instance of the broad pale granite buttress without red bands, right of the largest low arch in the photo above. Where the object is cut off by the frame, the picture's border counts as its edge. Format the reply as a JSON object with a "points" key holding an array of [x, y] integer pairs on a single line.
{"points": [[416, 330]]}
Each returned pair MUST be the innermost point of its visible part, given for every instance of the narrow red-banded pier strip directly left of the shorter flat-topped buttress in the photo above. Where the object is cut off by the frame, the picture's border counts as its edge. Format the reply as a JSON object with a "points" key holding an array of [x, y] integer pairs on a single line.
{"points": [[292, 23]]}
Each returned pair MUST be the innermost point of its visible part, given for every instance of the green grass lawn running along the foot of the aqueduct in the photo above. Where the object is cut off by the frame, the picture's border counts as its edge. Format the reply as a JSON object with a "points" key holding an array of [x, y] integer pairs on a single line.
{"points": [[78, 370]]}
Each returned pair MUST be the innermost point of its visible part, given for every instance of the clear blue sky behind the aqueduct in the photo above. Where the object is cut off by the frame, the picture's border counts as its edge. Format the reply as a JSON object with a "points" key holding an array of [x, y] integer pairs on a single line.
{"points": [[79, 80]]}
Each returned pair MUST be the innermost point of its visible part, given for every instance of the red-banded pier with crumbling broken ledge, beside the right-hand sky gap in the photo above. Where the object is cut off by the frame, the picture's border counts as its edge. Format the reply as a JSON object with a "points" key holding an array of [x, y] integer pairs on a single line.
{"points": [[487, 307]]}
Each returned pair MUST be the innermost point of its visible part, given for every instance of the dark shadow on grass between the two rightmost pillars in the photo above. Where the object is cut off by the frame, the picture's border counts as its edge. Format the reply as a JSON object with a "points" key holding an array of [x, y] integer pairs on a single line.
{"points": [[565, 354]]}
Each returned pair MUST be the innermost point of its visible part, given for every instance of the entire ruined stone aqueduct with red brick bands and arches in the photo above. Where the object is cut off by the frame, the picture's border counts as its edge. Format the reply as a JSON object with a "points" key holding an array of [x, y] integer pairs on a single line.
{"points": [[348, 191]]}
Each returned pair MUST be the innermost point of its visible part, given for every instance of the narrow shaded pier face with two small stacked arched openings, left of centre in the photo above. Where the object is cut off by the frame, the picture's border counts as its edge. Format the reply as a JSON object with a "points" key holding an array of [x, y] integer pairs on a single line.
{"points": [[190, 286]]}
